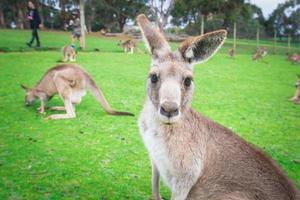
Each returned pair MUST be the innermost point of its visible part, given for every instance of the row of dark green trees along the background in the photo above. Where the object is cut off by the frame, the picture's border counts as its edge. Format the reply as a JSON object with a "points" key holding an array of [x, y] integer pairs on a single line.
{"points": [[187, 16]]}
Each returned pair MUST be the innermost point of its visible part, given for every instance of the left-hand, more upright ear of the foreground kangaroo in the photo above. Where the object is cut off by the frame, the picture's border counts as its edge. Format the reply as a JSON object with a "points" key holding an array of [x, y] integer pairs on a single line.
{"points": [[154, 40]]}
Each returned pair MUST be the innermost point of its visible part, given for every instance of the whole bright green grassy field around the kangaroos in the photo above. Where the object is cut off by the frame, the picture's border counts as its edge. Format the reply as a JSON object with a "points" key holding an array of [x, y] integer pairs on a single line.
{"points": [[98, 156]]}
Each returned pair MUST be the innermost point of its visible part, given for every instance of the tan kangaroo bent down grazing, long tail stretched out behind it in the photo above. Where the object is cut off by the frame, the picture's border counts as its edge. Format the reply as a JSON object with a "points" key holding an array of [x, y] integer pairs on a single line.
{"points": [[70, 81]]}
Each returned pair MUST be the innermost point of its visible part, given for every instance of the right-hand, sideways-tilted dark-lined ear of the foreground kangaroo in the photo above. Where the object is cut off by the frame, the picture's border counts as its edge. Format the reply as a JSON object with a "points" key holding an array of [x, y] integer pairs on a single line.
{"points": [[199, 49]]}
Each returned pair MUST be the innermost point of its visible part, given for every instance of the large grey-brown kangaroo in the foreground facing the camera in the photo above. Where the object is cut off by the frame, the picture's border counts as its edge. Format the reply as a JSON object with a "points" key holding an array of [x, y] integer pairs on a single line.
{"points": [[197, 158]]}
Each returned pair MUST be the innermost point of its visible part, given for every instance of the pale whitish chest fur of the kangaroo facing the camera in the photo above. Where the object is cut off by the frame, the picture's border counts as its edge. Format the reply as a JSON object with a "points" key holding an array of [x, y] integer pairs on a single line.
{"points": [[179, 167]]}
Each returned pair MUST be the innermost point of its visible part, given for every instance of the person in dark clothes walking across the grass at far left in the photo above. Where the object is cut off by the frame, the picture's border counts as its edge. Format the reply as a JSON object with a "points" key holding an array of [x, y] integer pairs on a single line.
{"points": [[35, 22]]}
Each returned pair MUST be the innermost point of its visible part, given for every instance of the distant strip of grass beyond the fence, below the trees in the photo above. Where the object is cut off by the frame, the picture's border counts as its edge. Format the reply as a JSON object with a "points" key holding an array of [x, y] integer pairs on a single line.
{"points": [[15, 41]]}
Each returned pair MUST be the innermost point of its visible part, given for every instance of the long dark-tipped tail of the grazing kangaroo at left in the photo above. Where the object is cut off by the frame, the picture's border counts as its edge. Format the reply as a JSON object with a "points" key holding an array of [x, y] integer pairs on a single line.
{"points": [[101, 99]]}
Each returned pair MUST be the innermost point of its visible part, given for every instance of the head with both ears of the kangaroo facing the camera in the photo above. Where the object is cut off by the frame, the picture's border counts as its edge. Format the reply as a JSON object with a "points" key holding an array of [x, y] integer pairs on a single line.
{"points": [[170, 83]]}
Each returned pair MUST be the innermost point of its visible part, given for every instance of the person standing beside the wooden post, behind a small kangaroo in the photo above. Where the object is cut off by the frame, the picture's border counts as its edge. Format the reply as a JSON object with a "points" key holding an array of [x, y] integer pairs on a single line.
{"points": [[76, 28]]}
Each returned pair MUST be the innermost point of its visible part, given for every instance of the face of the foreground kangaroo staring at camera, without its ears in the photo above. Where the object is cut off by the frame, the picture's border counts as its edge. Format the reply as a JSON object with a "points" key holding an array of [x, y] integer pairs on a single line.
{"points": [[170, 87]]}
